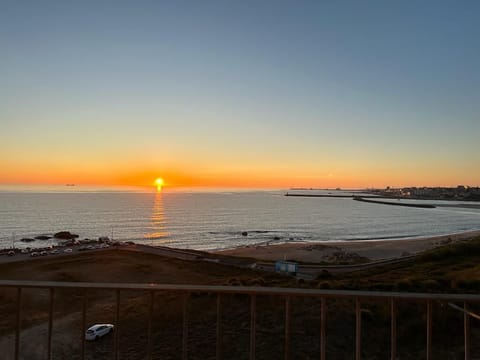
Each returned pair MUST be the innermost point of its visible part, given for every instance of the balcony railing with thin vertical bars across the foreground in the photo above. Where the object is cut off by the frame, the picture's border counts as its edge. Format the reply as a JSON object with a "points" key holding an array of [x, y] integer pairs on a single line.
{"points": [[458, 303]]}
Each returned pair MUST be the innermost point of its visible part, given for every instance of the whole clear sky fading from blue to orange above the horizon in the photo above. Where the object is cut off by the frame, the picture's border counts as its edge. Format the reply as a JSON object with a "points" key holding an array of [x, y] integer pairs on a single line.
{"points": [[240, 94]]}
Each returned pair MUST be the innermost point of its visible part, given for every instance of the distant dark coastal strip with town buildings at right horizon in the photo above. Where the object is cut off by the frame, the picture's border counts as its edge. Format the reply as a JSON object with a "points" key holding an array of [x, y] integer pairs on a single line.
{"points": [[460, 193]]}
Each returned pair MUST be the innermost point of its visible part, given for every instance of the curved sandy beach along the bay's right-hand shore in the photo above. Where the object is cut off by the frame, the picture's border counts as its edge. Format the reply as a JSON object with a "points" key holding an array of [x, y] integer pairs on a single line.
{"points": [[321, 251]]}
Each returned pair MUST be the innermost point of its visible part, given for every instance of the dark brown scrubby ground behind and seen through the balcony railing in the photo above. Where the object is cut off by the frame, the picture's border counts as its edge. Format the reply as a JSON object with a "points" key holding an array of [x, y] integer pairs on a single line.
{"points": [[453, 268]]}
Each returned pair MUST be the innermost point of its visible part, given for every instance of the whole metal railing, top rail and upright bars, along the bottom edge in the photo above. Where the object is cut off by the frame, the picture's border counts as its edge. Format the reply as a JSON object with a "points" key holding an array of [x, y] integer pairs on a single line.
{"points": [[184, 291]]}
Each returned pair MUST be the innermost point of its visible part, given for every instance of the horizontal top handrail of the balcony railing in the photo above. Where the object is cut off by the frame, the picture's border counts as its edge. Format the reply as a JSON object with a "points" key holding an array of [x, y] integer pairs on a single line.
{"points": [[238, 290]]}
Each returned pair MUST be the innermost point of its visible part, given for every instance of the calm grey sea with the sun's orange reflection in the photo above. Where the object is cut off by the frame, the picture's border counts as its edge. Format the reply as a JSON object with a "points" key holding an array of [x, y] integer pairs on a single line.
{"points": [[207, 221]]}
